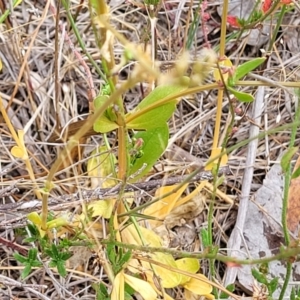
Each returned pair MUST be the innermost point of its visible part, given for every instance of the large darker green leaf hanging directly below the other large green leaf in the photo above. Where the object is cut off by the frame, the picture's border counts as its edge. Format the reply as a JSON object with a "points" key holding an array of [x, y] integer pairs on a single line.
{"points": [[155, 143]]}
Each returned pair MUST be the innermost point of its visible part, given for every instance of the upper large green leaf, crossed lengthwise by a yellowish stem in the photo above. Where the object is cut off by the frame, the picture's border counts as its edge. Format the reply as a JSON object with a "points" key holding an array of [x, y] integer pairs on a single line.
{"points": [[156, 116]]}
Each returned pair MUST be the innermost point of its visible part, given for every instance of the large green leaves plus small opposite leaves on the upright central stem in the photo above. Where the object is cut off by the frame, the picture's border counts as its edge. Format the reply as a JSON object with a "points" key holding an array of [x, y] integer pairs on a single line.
{"points": [[150, 118]]}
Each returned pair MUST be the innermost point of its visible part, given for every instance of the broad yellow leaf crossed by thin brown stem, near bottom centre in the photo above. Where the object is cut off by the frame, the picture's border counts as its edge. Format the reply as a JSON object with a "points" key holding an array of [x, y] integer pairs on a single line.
{"points": [[168, 278]]}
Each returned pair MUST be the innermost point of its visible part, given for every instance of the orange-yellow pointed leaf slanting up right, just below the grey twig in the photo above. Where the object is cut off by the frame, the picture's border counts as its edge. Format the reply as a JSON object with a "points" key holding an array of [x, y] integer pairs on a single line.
{"points": [[162, 207]]}
